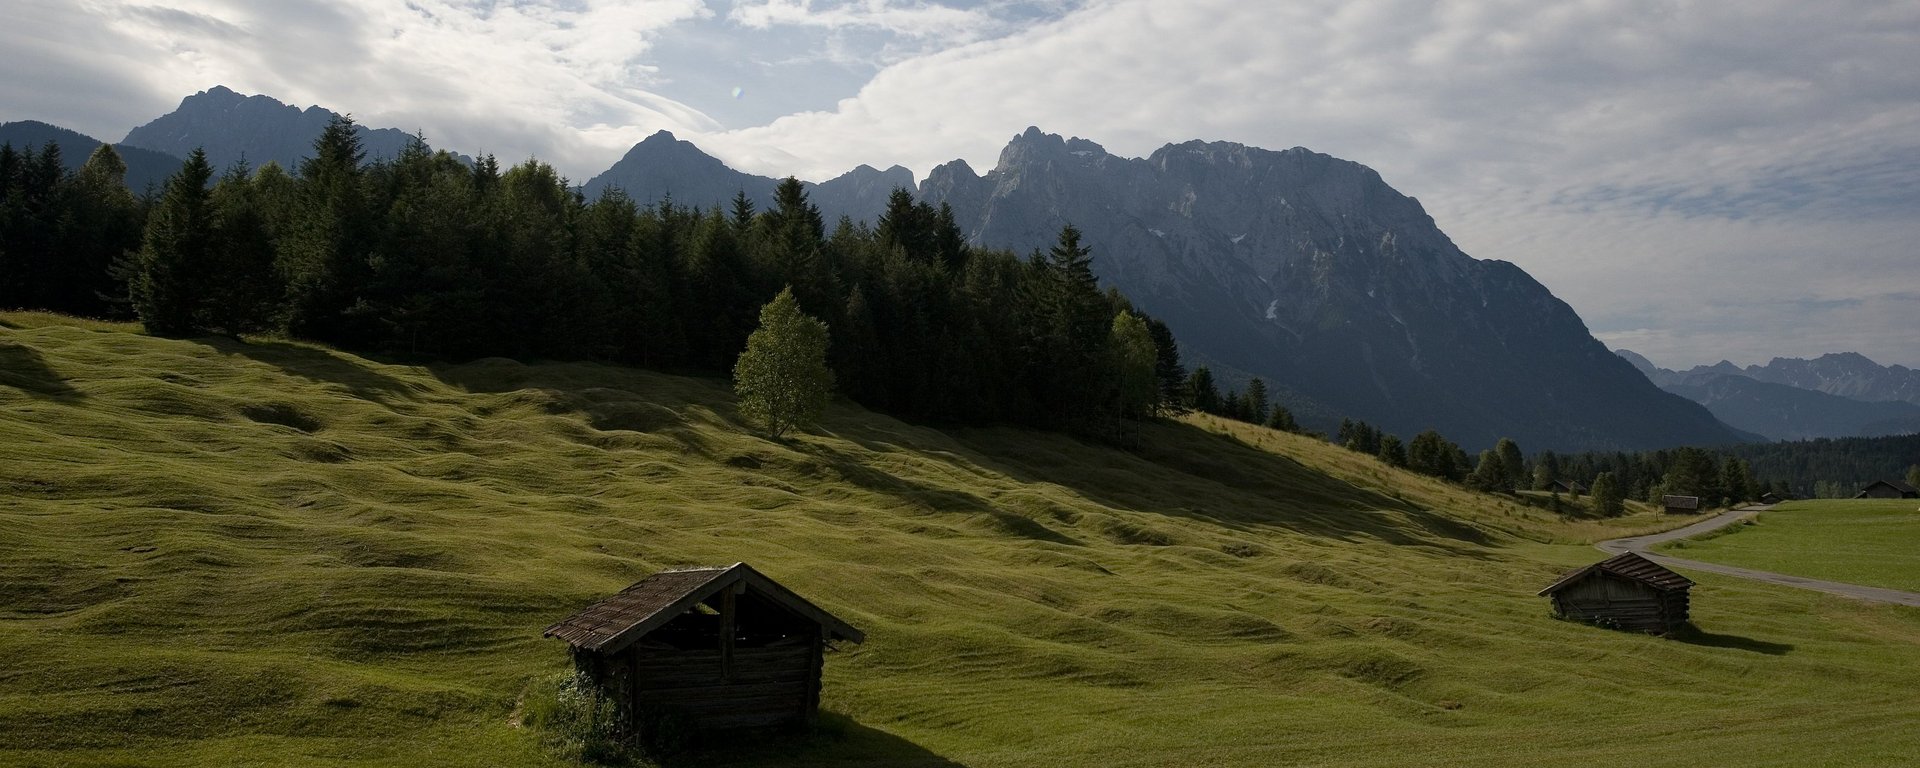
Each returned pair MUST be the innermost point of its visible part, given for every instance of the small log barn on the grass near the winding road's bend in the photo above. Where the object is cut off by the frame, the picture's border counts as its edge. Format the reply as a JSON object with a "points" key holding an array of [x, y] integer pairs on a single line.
{"points": [[1625, 592]]}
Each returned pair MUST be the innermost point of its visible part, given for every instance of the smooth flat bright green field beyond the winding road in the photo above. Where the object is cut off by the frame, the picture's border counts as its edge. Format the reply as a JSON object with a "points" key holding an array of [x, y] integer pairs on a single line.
{"points": [[1873, 542]]}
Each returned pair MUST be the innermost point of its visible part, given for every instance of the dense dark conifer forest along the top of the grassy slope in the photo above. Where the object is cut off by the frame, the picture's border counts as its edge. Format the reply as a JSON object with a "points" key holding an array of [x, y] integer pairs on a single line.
{"points": [[431, 258]]}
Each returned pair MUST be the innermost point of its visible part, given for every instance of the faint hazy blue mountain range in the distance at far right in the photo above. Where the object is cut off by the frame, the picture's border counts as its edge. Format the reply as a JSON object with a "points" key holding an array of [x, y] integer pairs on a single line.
{"points": [[1831, 396]]}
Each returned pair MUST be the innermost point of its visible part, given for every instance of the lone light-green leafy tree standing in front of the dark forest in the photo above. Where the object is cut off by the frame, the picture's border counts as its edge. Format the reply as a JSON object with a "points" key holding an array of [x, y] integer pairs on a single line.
{"points": [[782, 379]]}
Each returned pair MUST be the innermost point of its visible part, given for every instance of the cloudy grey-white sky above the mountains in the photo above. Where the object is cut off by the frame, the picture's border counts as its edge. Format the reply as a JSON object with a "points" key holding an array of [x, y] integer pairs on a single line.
{"points": [[1700, 181]]}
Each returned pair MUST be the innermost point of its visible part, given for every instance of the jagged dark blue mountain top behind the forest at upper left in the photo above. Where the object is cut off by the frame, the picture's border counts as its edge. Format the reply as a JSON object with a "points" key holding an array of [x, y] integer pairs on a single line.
{"points": [[262, 130]]}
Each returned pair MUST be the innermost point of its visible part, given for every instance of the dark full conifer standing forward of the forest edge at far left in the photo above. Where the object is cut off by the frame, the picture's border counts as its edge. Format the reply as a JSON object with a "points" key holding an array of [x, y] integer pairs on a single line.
{"points": [[176, 264]]}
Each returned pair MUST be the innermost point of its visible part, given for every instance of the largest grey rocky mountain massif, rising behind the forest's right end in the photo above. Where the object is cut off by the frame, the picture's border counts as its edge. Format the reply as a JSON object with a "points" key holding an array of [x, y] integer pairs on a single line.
{"points": [[1318, 277]]}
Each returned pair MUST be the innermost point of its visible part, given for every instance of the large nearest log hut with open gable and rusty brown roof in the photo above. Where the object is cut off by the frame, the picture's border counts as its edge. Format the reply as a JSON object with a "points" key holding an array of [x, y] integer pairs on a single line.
{"points": [[706, 650]]}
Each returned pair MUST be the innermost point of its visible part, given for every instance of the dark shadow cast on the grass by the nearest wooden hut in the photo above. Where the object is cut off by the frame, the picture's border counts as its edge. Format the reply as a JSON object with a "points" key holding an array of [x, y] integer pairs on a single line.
{"points": [[836, 740]]}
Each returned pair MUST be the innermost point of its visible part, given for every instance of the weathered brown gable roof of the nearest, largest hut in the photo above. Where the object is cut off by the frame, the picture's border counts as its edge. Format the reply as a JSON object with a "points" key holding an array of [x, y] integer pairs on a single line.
{"points": [[619, 621]]}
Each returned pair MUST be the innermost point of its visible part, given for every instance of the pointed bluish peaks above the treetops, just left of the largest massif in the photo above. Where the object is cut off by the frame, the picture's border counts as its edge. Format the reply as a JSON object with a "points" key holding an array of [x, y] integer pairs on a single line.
{"points": [[665, 168]]}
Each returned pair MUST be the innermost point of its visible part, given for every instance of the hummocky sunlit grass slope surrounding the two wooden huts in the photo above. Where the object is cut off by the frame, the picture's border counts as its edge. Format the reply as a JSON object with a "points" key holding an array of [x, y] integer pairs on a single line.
{"points": [[279, 554]]}
